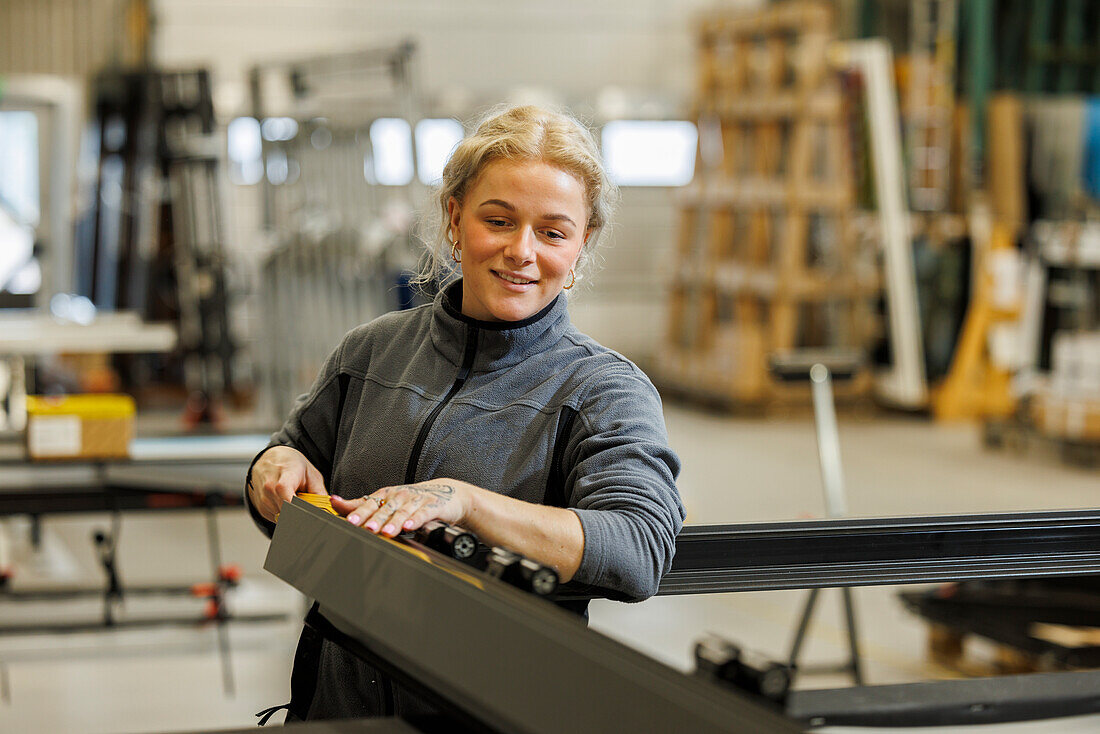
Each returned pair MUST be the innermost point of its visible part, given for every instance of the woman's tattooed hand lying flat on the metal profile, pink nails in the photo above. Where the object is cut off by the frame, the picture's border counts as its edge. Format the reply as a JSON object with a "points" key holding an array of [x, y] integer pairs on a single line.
{"points": [[394, 510]]}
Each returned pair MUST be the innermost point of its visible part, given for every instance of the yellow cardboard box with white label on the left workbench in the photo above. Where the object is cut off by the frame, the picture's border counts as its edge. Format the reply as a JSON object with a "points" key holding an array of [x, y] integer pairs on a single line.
{"points": [[80, 426]]}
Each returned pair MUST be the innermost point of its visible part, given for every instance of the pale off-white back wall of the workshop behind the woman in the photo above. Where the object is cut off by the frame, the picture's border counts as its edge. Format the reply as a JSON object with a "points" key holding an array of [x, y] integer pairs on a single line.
{"points": [[470, 54]]}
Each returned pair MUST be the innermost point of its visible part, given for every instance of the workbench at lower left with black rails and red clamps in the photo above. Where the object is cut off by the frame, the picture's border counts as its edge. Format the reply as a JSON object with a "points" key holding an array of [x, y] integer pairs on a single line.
{"points": [[172, 474]]}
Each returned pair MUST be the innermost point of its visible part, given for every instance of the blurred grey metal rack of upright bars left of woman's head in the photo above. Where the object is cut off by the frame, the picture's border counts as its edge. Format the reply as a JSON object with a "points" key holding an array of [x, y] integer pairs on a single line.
{"points": [[345, 242]]}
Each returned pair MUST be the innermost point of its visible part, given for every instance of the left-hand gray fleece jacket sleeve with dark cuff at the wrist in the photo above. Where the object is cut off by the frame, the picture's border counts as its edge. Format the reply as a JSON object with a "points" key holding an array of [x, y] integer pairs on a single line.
{"points": [[311, 429]]}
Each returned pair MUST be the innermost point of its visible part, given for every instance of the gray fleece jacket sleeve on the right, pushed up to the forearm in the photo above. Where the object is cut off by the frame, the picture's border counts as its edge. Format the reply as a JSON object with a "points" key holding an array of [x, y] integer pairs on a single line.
{"points": [[622, 486]]}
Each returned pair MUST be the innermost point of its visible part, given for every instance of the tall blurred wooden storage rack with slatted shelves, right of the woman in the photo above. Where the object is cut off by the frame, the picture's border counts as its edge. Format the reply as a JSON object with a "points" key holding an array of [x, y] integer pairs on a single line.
{"points": [[767, 259]]}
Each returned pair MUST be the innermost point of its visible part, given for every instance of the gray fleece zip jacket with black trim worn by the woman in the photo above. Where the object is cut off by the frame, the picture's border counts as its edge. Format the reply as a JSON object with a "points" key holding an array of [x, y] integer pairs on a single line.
{"points": [[534, 410]]}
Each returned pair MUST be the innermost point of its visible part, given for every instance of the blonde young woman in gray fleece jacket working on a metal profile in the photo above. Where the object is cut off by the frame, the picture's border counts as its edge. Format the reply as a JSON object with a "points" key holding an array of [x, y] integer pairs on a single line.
{"points": [[487, 409]]}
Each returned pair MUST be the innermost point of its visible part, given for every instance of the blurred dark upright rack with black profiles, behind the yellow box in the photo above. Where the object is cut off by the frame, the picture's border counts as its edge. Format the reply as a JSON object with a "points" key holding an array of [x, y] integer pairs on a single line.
{"points": [[153, 240]]}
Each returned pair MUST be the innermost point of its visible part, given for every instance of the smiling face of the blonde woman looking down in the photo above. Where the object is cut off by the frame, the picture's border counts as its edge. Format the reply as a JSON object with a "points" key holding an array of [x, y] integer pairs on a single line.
{"points": [[521, 229]]}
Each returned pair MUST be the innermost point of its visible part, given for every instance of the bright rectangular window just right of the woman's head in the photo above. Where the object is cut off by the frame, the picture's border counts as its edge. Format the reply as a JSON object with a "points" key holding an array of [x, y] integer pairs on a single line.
{"points": [[651, 152]]}
